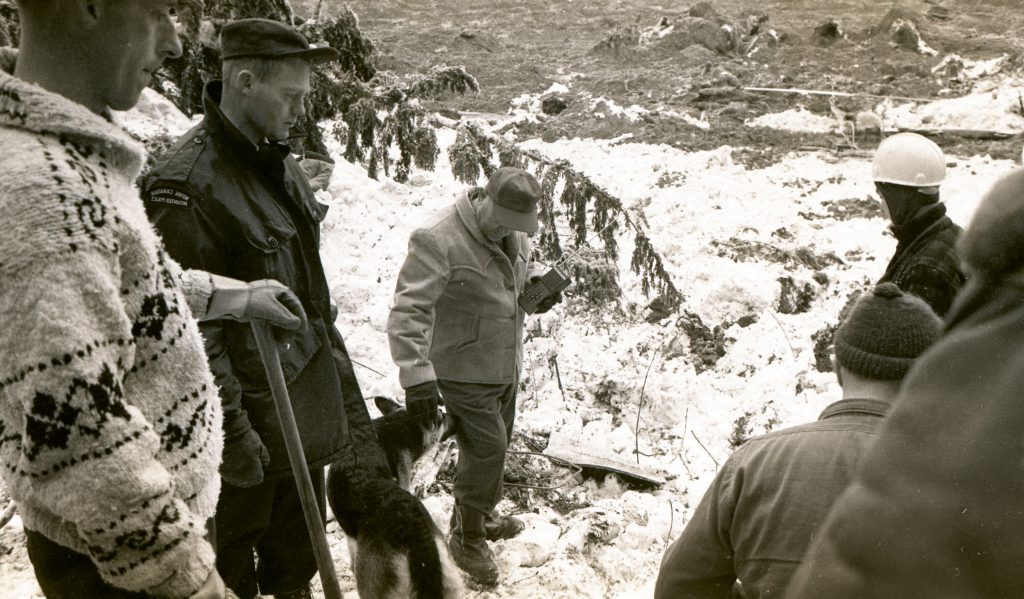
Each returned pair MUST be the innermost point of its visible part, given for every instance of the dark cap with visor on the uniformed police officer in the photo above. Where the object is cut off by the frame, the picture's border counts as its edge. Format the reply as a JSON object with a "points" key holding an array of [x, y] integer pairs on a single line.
{"points": [[251, 38]]}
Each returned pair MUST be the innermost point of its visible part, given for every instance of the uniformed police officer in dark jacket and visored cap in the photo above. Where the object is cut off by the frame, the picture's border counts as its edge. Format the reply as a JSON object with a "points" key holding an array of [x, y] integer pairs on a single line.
{"points": [[231, 199]]}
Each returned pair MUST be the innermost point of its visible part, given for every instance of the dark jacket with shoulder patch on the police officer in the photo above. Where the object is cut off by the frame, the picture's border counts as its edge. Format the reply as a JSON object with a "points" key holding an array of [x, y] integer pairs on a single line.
{"points": [[225, 206]]}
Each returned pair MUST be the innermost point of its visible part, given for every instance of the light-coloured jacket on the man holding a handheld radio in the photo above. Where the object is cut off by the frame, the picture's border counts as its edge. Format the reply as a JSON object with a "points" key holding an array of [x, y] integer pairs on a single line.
{"points": [[456, 315]]}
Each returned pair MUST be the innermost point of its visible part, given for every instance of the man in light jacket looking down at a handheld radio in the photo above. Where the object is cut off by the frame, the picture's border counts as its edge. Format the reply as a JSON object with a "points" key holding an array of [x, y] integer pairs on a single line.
{"points": [[456, 331]]}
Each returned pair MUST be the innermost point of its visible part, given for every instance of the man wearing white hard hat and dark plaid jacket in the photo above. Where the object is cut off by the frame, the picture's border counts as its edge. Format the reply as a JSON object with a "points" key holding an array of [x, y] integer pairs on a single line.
{"points": [[908, 172]]}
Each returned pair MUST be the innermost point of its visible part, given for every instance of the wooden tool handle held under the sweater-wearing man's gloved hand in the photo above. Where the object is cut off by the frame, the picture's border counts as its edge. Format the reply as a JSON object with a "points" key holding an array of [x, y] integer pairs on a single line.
{"points": [[272, 363]]}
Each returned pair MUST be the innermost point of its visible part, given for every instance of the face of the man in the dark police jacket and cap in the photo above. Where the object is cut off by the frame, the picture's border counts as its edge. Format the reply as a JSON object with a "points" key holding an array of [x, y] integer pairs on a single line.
{"points": [[278, 102]]}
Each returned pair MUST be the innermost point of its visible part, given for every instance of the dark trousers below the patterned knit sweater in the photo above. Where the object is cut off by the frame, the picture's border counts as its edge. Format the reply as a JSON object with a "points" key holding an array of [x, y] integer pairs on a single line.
{"points": [[64, 574]]}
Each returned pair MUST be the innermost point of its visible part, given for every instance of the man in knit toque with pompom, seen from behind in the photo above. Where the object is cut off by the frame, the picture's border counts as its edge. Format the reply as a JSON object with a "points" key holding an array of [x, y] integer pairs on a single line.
{"points": [[767, 502]]}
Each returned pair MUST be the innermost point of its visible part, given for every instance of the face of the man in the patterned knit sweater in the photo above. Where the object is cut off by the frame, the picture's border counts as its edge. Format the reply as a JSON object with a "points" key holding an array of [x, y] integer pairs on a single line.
{"points": [[134, 38]]}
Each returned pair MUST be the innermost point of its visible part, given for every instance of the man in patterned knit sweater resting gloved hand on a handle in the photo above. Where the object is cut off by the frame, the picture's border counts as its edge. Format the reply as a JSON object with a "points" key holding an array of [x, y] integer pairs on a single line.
{"points": [[110, 421]]}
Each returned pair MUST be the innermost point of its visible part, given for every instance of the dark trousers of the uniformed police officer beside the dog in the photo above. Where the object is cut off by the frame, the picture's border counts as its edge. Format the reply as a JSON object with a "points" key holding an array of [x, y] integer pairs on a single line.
{"points": [[267, 520]]}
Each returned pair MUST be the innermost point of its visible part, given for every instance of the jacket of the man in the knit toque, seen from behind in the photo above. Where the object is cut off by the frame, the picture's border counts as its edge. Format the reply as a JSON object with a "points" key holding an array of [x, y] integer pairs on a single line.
{"points": [[766, 504]]}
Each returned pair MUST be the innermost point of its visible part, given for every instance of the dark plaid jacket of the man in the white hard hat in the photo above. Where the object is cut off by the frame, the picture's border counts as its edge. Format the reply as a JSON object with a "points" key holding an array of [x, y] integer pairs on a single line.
{"points": [[926, 263]]}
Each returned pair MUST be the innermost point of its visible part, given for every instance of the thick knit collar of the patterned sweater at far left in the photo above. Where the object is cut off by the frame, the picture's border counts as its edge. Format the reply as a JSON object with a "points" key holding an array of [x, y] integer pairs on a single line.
{"points": [[32, 109]]}
